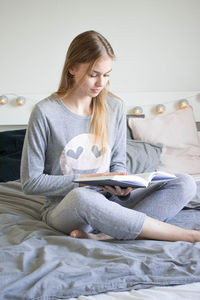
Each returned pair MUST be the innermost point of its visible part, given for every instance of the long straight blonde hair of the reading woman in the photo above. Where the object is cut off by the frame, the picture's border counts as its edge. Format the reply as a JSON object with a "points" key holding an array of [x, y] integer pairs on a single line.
{"points": [[88, 47]]}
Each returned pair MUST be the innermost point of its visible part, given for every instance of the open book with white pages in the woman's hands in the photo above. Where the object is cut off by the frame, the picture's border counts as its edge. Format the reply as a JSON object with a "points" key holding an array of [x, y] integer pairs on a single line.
{"points": [[136, 180]]}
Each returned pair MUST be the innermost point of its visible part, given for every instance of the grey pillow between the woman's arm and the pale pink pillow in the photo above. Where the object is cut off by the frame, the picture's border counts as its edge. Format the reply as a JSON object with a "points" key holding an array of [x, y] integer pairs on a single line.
{"points": [[141, 156]]}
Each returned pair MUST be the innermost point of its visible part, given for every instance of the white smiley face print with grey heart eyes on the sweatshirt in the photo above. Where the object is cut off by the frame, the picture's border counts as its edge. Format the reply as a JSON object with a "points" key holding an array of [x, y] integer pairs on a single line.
{"points": [[81, 155]]}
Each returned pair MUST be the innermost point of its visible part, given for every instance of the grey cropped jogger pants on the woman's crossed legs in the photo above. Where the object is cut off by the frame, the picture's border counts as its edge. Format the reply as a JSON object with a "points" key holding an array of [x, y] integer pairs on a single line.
{"points": [[87, 209]]}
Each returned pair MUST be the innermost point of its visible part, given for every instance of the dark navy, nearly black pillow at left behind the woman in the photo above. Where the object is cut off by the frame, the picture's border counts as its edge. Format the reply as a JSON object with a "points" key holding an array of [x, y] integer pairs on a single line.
{"points": [[11, 143]]}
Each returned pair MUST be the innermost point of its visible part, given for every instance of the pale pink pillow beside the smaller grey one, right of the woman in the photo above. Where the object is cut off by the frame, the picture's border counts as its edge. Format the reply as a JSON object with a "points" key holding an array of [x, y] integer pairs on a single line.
{"points": [[177, 133]]}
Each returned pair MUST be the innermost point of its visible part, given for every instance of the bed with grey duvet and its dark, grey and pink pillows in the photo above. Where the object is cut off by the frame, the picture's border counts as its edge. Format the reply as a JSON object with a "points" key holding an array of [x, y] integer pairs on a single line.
{"points": [[38, 262]]}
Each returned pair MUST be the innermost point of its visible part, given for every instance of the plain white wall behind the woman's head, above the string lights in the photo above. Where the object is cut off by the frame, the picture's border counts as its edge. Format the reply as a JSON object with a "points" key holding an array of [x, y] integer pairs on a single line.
{"points": [[156, 42]]}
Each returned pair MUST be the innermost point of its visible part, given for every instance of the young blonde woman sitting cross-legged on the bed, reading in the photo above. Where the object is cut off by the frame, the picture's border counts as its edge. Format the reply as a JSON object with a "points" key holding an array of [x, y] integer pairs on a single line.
{"points": [[80, 130]]}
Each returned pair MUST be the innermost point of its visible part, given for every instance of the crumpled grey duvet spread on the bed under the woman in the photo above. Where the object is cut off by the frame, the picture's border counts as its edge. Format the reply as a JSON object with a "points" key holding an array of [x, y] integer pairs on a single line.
{"points": [[38, 262]]}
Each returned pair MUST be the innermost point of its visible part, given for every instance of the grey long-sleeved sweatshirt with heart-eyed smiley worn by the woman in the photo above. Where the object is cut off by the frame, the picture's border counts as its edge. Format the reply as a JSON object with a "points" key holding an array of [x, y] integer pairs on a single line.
{"points": [[58, 147]]}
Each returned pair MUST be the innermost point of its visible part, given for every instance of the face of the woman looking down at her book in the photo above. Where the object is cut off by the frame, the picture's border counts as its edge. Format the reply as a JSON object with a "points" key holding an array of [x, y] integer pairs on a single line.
{"points": [[91, 84]]}
